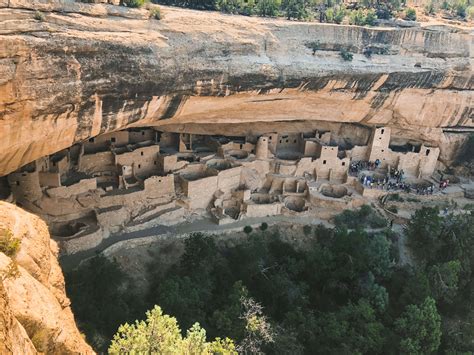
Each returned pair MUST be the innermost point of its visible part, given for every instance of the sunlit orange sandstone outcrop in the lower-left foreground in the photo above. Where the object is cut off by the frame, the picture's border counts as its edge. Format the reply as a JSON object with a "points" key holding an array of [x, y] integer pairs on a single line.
{"points": [[34, 310]]}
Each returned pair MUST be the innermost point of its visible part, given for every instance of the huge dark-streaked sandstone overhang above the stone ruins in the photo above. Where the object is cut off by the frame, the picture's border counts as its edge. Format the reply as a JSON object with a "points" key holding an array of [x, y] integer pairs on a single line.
{"points": [[92, 68]]}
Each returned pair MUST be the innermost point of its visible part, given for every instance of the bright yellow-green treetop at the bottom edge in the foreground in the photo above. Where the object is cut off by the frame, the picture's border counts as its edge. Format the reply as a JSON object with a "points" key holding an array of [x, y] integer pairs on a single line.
{"points": [[160, 334]]}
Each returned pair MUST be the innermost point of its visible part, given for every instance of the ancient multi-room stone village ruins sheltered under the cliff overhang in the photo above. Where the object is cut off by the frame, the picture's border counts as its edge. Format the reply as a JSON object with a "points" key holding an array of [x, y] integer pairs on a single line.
{"points": [[137, 178]]}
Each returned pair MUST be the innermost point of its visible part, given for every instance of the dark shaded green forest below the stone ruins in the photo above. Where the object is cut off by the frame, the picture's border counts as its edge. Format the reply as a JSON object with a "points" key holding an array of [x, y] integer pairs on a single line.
{"points": [[345, 292]]}
